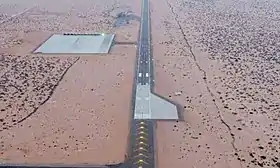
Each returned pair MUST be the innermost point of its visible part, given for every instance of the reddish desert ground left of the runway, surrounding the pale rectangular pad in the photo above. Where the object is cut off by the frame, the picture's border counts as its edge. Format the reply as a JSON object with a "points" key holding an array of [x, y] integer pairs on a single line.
{"points": [[65, 109]]}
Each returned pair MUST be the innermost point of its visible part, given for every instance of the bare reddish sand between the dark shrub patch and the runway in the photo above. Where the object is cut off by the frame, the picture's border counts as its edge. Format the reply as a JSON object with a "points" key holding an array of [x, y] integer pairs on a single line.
{"points": [[82, 121]]}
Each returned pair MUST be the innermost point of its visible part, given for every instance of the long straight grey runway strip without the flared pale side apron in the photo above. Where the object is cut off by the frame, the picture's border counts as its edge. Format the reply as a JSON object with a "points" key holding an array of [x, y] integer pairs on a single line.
{"points": [[141, 153]]}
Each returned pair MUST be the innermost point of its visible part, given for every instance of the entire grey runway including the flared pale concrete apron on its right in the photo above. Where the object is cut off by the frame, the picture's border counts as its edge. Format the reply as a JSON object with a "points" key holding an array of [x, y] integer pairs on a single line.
{"points": [[147, 106]]}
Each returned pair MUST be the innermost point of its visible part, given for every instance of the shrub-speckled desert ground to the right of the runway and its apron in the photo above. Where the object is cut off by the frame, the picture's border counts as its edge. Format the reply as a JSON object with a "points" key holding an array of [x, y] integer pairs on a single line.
{"points": [[224, 57]]}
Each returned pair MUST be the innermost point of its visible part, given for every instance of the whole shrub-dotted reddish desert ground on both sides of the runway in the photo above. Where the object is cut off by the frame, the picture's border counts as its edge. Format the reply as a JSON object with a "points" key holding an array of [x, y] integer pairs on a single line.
{"points": [[223, 56]]}
